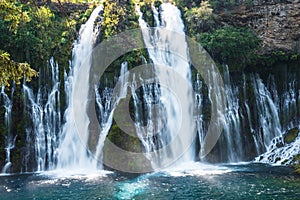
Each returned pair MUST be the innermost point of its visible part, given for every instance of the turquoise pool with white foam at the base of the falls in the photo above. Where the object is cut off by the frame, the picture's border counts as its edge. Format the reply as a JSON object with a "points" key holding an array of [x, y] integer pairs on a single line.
{"points": [[247, 181]]}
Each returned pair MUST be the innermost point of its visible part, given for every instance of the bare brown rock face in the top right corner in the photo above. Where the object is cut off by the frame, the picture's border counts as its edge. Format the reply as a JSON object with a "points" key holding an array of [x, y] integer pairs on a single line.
{"points": [[276, 22]]}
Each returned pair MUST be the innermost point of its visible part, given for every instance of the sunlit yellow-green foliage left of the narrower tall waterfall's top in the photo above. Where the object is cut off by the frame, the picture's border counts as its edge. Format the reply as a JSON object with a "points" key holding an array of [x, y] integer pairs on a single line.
{"points": [[36, 33]]}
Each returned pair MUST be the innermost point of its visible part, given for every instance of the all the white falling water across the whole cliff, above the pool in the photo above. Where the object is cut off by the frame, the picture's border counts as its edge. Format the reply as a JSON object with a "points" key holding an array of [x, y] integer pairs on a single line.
{"points": [[256, 113]]}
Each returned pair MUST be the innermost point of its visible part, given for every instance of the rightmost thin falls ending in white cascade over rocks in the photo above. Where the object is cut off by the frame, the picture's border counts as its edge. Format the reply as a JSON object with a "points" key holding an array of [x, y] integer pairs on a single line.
{"points": [[278, 151]]}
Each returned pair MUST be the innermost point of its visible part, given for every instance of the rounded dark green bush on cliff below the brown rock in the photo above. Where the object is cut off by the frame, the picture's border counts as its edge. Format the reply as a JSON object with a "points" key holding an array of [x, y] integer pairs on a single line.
{"points": [[230, 45]]}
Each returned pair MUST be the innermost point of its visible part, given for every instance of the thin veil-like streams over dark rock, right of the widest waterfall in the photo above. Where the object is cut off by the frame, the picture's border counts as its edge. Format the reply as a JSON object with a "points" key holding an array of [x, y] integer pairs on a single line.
{"points": [[239, 131]]}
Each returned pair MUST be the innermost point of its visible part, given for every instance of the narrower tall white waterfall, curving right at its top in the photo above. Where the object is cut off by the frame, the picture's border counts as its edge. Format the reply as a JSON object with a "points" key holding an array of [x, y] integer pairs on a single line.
{"points": [[73, 151]]}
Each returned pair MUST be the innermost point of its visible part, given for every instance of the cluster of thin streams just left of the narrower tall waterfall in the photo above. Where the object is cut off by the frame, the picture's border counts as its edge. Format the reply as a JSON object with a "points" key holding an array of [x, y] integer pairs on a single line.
{"points": [[45, 120]]}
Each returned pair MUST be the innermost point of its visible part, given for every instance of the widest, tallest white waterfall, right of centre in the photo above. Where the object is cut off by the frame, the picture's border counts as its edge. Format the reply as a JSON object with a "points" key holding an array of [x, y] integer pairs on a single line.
{"points": [[167, 49]]}
